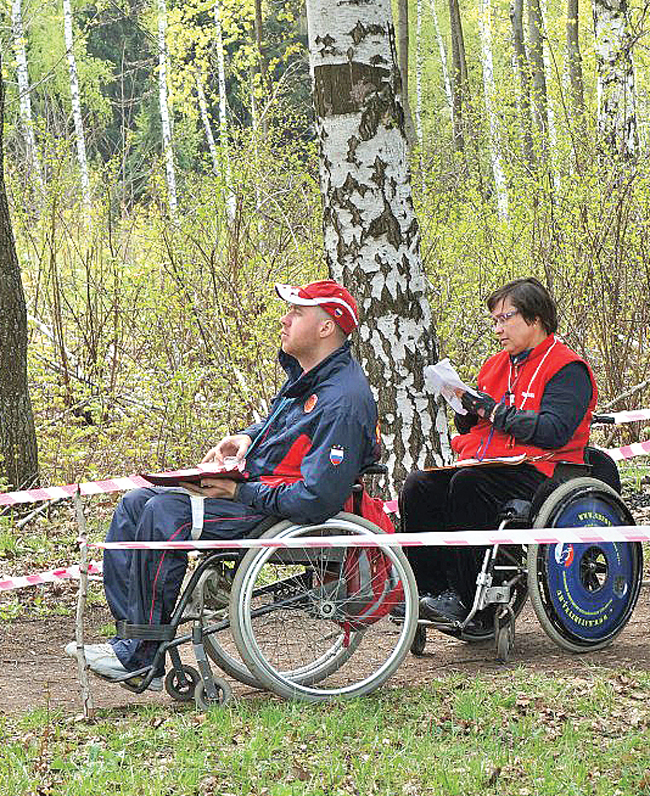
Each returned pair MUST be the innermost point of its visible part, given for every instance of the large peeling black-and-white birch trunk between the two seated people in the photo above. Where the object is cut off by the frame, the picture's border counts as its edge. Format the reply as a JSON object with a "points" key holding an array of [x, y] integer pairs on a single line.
{"points": [[371, 235]]}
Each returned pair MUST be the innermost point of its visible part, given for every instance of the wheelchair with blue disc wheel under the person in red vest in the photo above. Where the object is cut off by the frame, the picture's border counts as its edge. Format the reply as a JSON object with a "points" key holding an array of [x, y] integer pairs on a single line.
{"points": [[583, 593]]}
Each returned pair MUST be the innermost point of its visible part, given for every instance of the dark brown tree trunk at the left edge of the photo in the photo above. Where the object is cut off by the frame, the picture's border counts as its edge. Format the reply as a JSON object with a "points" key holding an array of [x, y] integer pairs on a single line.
{"points": [[18, 449]]}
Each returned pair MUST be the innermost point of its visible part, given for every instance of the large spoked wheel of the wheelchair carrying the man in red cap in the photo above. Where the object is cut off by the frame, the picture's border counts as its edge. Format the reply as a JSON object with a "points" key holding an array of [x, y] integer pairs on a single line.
{"points": [[311, 625]]}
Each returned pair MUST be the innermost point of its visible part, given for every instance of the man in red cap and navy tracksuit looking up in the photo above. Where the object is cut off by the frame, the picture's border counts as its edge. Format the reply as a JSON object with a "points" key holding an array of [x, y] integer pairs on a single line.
{"points": [[302, 462]]}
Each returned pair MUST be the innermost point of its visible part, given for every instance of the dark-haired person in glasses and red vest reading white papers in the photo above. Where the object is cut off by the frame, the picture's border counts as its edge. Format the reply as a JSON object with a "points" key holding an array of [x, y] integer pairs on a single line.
{"points": [[535, 397]]}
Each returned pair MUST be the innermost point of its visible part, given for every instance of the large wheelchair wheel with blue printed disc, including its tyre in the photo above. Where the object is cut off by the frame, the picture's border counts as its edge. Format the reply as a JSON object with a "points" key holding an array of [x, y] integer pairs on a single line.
{"points": [[584, 592]]}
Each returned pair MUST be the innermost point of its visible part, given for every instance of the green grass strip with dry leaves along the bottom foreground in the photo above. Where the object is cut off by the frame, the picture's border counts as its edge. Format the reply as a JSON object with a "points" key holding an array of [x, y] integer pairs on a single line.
{"points": [[512, 733]]}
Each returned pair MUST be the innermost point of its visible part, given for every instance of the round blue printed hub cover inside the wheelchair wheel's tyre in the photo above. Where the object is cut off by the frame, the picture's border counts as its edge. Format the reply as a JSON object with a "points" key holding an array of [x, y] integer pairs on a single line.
{"points": [[590, 583]]}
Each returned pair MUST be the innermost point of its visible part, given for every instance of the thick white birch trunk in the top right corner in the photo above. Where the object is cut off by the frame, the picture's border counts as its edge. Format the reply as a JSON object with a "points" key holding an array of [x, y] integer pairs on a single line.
{"points": [[617, 123]]}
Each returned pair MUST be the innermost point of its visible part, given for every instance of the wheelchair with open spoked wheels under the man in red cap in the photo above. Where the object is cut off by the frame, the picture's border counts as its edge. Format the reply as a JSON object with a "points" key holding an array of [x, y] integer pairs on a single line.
{"points": [[305, 623]]}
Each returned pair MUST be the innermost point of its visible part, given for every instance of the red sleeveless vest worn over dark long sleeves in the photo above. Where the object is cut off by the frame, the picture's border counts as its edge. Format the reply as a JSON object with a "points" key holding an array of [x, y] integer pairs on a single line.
{"points": [[523, 387]]}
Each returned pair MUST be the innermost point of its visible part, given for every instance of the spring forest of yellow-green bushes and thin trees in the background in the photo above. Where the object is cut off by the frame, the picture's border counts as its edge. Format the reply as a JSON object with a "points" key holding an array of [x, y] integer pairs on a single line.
{"points": [[162, 170]]}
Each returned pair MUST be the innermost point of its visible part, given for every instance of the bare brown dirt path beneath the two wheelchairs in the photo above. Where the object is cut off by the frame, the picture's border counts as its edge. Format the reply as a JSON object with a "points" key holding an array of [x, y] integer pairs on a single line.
{"points": [[36, 673]]}
